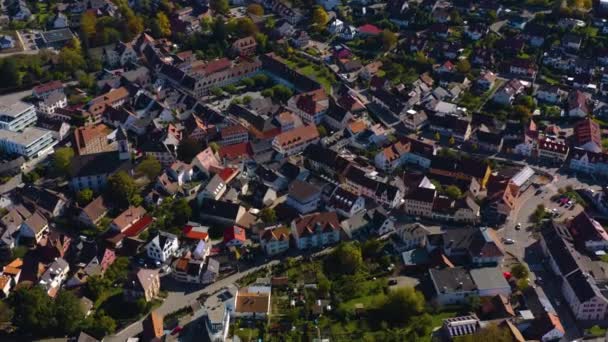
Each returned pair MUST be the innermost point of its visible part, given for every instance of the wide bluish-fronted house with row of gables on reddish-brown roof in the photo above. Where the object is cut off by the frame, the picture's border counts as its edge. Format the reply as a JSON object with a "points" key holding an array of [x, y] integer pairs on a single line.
{"points": [[316, 230]]}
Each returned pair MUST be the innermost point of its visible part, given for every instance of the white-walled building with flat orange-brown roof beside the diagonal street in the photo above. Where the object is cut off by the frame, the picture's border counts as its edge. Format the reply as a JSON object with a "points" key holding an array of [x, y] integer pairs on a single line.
{"points": [[253, 302]]}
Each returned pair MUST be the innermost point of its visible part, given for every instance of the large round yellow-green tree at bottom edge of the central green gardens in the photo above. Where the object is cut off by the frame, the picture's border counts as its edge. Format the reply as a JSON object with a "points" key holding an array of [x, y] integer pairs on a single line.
{"points": [[401, 305]]}
